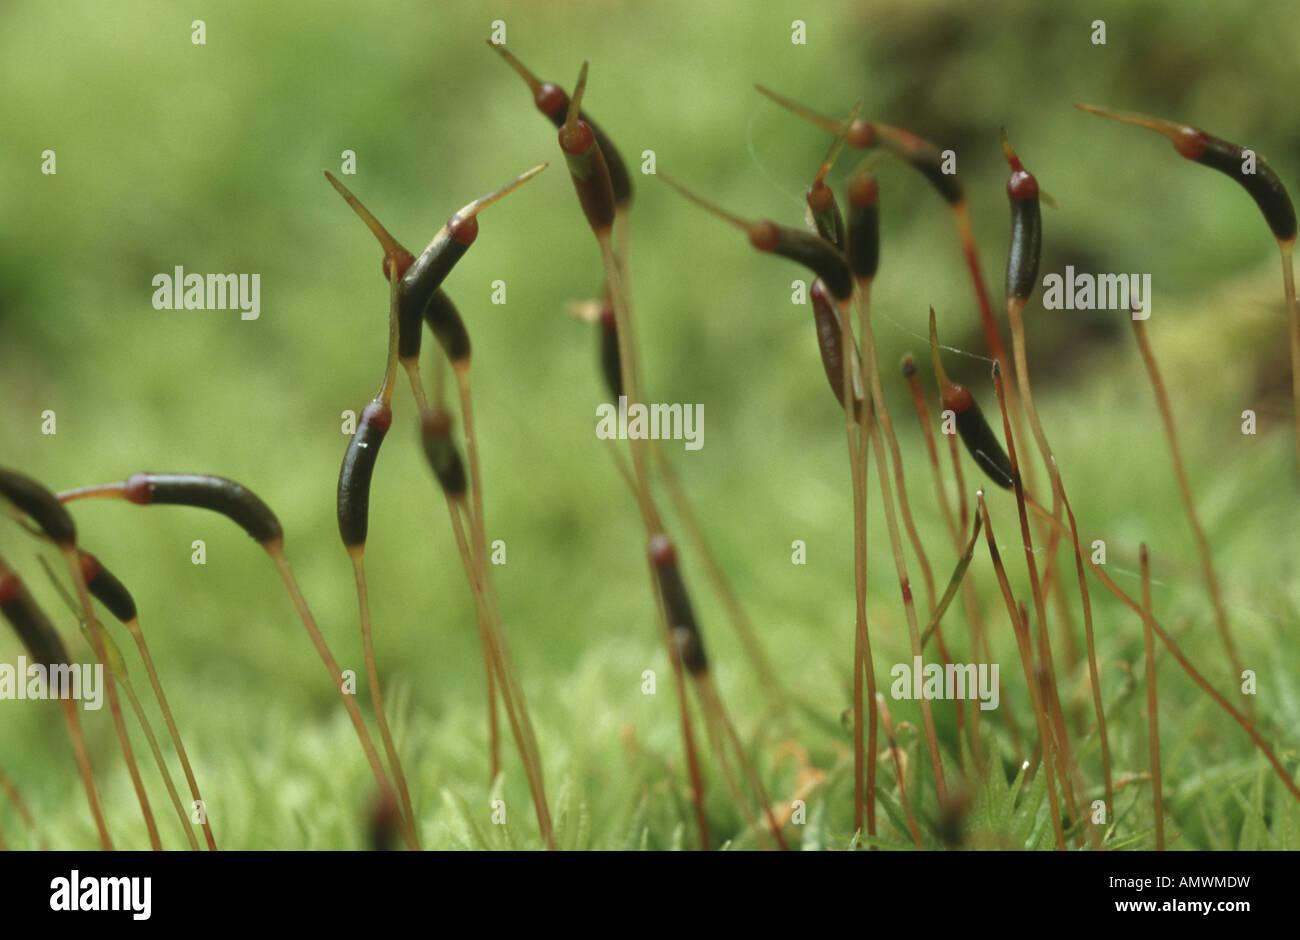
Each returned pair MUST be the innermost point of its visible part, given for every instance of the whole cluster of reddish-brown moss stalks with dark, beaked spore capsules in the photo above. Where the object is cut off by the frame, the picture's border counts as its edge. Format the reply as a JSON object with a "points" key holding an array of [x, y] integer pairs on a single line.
{"points": [[1067, 760]]}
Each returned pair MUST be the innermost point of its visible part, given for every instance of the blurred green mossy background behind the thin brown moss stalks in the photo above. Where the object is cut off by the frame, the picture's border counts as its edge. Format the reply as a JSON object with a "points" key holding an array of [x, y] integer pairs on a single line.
{"points": [[210, 157]]}
